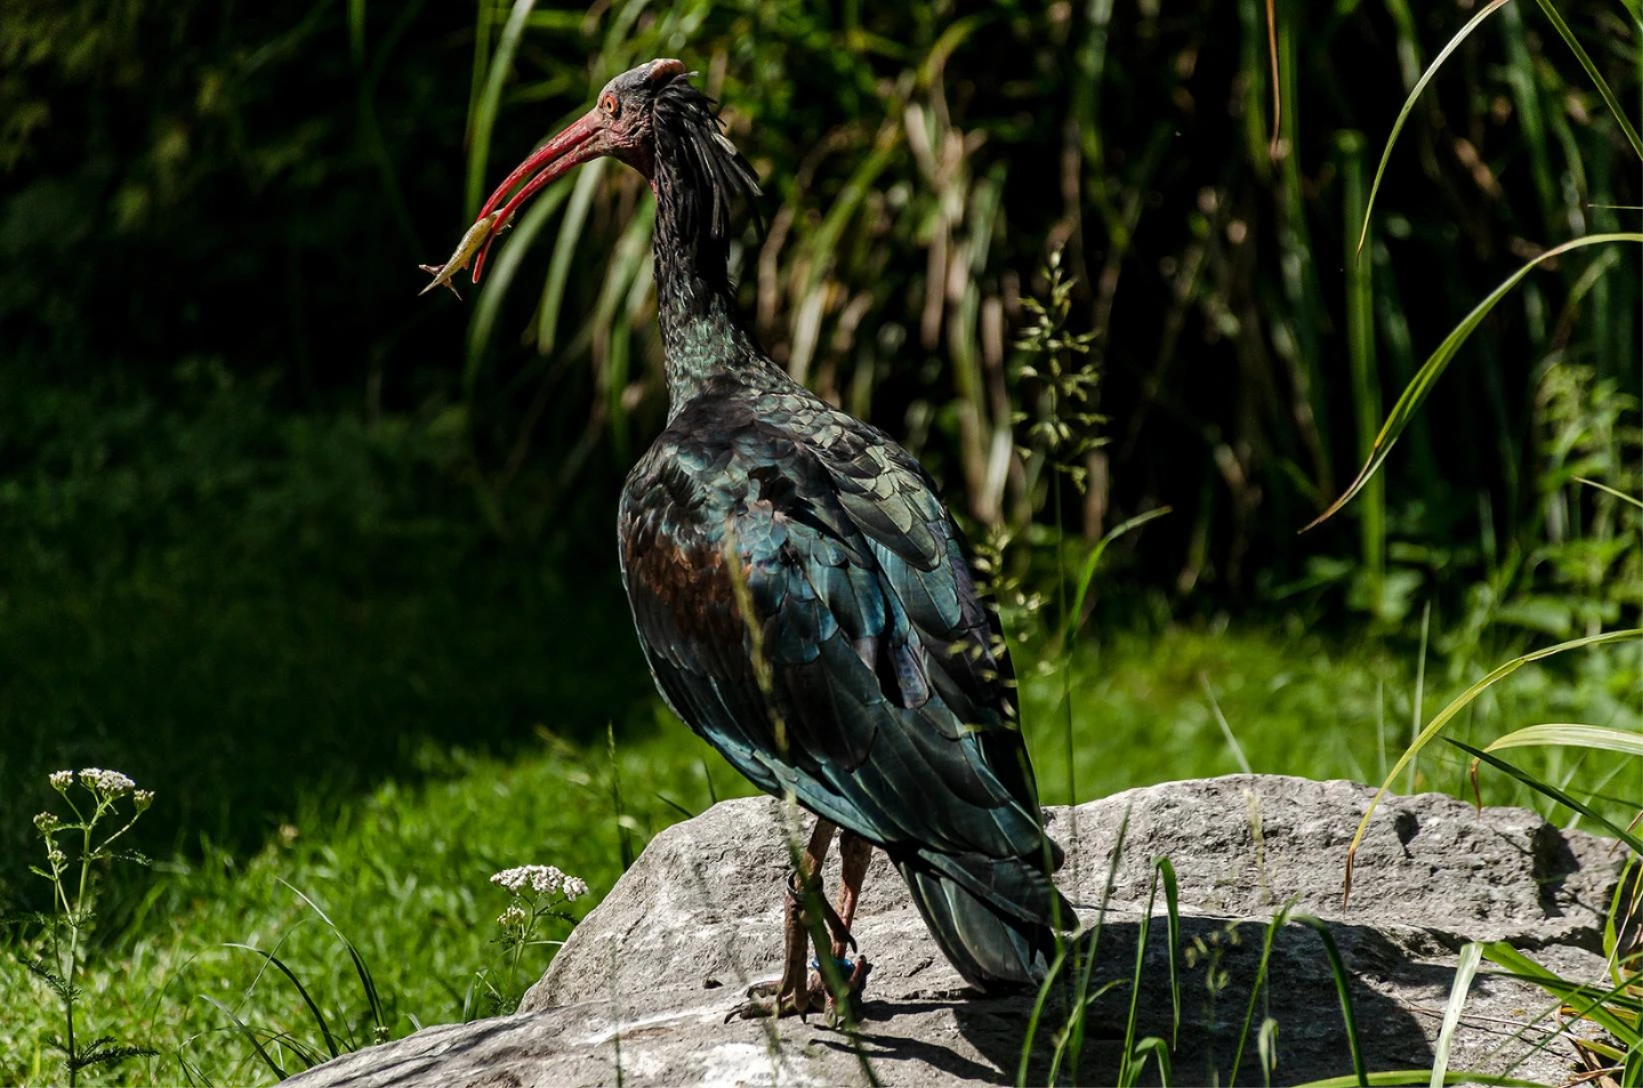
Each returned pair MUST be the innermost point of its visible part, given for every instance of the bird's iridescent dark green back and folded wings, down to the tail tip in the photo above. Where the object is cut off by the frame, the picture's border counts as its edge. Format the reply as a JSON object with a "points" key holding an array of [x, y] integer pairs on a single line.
{"points": [[808, 607]]}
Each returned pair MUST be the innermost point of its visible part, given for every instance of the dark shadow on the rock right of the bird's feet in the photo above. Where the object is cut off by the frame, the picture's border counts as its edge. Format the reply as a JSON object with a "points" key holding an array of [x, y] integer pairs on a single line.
{"points": [[1300, 997]]}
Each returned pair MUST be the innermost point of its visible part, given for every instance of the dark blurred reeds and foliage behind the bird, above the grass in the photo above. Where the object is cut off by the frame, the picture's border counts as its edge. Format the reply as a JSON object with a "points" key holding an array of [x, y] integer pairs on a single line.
{"points": [[254, 188]]}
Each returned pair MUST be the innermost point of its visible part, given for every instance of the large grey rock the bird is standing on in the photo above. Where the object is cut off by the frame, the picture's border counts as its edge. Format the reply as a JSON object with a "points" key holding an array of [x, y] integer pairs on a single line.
{"points": [[647, 980]]}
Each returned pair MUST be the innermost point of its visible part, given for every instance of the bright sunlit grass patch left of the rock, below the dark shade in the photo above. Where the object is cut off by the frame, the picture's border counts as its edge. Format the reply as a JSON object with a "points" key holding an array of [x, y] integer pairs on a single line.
{"points": [[403, 872]]}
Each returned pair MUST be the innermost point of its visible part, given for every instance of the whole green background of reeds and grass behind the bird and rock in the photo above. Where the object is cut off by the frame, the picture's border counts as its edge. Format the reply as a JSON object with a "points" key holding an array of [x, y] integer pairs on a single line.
{"points": [[300, 550]]}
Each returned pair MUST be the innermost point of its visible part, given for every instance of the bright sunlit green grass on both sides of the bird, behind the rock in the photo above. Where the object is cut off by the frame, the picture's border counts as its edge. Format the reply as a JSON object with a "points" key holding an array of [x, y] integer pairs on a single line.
{"points": [[403, 869]]}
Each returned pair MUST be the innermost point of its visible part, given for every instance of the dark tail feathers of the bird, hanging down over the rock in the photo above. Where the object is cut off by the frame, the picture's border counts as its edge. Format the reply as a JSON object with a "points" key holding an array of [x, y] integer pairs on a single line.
{"points": [[995, 920]]}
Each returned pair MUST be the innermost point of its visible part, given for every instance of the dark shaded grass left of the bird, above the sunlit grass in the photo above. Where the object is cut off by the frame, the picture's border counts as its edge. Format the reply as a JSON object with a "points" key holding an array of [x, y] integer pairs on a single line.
{"points": [[239, 606]]}
